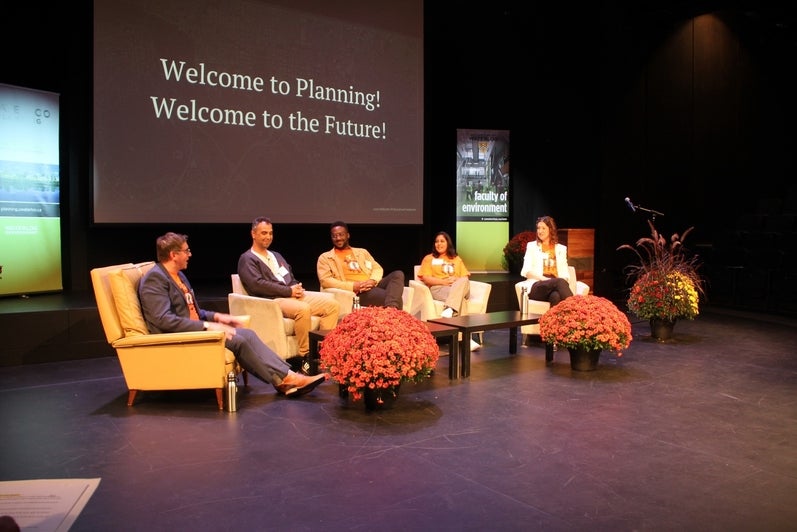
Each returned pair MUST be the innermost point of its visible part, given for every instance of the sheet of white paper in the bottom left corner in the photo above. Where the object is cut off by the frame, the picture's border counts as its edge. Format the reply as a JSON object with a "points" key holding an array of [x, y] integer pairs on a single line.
{"points": [[46, 505]]}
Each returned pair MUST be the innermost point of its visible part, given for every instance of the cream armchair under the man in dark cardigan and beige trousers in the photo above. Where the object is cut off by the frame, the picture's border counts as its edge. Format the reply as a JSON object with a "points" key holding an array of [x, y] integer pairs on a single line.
{"points": [[267, 320]]}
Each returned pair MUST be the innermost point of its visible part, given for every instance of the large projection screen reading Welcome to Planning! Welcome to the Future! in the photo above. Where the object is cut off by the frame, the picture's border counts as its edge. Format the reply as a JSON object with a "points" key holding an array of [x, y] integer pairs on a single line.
{"points": [[305, 111]]}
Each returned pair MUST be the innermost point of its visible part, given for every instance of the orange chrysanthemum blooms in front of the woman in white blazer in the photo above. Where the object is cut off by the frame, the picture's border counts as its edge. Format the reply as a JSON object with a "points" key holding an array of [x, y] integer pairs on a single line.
{"points": [[587, 322]]}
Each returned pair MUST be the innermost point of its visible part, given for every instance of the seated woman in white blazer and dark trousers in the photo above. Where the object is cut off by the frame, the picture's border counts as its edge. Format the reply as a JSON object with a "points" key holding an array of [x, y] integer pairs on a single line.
{"points": [[545, 265]]}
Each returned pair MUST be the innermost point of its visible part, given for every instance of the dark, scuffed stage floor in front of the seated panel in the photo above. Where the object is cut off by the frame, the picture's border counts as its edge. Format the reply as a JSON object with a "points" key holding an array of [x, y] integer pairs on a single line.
{"points": [[693, 434]]}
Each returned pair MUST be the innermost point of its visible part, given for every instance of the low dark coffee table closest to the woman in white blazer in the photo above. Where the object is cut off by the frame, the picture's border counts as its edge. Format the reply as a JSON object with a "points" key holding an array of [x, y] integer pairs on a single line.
{"points": [[505, 319]]}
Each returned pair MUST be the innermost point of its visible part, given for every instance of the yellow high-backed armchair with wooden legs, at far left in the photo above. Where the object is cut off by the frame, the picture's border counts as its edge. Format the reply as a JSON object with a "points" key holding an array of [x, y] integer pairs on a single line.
{"points": [[168, 361]]}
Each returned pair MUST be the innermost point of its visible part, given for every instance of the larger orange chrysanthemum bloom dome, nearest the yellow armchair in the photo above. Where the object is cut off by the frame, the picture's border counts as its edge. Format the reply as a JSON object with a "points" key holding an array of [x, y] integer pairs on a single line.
{"points": [[378, 348]]}
